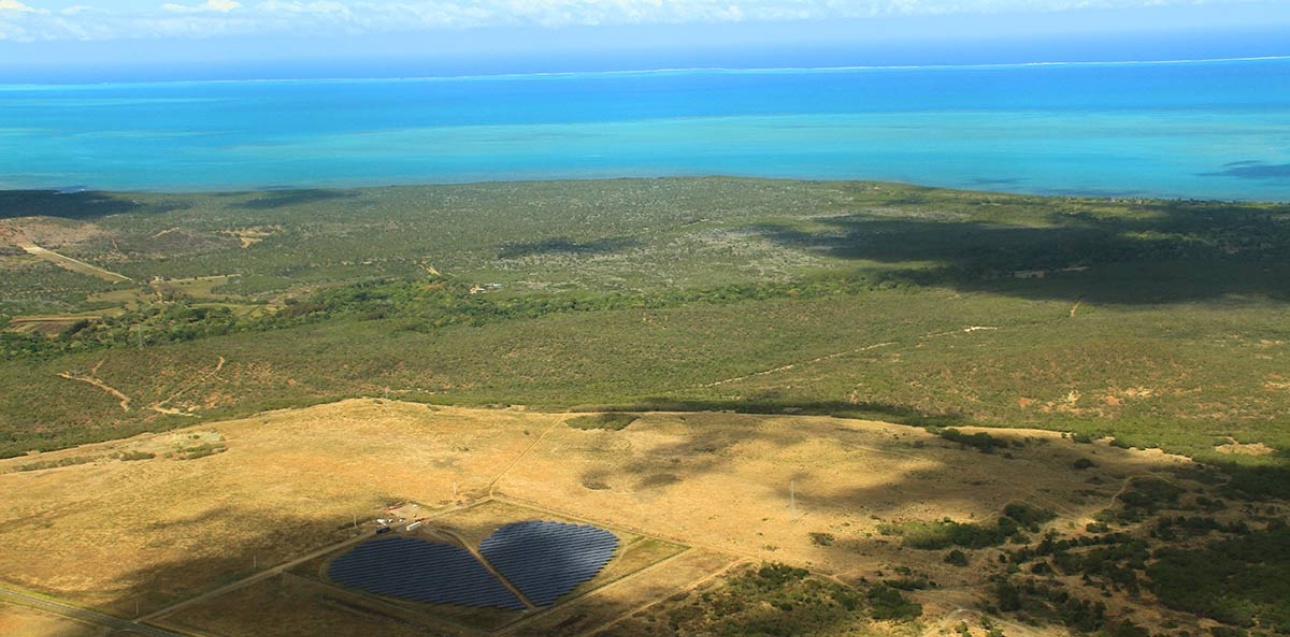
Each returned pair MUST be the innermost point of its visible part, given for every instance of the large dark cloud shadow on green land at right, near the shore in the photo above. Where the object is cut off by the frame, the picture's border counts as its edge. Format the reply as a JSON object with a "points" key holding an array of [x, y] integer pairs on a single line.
{"points": [[1120, 253]]}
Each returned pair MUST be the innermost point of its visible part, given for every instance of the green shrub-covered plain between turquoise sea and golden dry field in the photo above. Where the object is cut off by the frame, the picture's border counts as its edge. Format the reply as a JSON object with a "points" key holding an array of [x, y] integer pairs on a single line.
{"points": [[1156, 323]]}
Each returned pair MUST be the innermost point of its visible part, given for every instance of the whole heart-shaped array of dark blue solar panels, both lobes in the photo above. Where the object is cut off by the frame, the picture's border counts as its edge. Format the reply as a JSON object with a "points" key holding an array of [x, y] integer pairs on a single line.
{"points": [[541, 559]]}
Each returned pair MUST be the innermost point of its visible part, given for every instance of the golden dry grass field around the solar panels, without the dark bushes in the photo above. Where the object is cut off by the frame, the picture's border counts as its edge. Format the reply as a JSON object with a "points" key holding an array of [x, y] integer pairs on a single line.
{"points": [[137, 527]]}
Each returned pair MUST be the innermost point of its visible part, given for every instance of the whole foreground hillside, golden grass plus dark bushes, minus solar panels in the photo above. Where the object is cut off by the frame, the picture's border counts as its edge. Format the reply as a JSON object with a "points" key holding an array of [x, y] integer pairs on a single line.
{"points": [[729, 524]]}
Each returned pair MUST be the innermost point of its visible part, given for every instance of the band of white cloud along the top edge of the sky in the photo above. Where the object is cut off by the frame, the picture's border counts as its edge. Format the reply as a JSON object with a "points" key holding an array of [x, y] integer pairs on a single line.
{"points": [[104, 20]]}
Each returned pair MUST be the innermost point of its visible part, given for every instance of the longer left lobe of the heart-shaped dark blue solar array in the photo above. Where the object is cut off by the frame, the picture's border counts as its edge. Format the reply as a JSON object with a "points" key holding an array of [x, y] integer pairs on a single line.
{"points": [[419, 571]]}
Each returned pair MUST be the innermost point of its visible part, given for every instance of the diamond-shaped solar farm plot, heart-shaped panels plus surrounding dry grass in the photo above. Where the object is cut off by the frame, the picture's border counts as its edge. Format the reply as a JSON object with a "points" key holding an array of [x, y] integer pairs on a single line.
{"points": [[490, 565]]}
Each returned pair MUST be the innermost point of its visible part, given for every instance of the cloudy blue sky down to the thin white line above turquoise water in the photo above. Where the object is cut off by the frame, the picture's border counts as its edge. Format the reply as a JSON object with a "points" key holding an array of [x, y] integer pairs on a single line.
{"points": [[47, 41]]}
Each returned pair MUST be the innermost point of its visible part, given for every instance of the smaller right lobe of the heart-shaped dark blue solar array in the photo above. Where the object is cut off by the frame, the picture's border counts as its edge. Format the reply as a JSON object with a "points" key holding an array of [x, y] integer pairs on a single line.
{"points": [[546, 560]]}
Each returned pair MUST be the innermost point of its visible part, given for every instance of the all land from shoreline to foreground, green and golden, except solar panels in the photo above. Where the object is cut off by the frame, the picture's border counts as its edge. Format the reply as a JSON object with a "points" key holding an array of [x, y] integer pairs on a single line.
{"points": [[802, 408]]}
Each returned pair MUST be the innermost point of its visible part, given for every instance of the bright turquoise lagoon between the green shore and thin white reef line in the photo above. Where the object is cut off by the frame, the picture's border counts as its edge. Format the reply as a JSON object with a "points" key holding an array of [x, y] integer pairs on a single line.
{"points": [[1217, 130]]}
